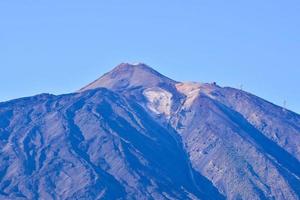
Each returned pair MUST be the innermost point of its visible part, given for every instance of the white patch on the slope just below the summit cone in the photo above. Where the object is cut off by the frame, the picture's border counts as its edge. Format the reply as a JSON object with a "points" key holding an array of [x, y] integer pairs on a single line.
{"points": [[159, 101]]}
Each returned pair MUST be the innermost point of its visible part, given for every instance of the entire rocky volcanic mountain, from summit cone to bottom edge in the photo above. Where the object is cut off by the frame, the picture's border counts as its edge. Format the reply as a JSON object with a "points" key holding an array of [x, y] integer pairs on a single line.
{"points": [[136, 134]]}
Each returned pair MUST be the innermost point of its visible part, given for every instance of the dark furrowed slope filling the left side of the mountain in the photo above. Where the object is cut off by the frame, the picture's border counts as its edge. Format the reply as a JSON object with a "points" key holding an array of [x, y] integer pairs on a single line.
{"points": [[92, 145]]}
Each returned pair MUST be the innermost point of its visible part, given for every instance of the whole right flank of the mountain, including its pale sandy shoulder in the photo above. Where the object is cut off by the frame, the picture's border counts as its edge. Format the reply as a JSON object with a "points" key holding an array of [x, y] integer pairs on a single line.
{"points": [[242, 160]]}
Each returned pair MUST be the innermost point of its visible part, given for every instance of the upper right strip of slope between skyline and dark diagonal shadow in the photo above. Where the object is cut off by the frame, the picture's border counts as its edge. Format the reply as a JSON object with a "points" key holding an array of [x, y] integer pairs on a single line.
{"points": [[276, 123]]}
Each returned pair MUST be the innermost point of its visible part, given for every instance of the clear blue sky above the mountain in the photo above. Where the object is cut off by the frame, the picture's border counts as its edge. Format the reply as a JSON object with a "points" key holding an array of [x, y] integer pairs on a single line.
{"points": [[57, 46]]}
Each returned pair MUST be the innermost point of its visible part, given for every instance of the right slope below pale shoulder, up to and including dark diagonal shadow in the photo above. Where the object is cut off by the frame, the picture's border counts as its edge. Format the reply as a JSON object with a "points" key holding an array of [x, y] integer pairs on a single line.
{"points": [[234, 155]]}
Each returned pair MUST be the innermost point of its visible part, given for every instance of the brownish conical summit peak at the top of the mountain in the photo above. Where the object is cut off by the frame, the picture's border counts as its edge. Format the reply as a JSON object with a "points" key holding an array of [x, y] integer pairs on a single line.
{"points": [[127, 75]]}
